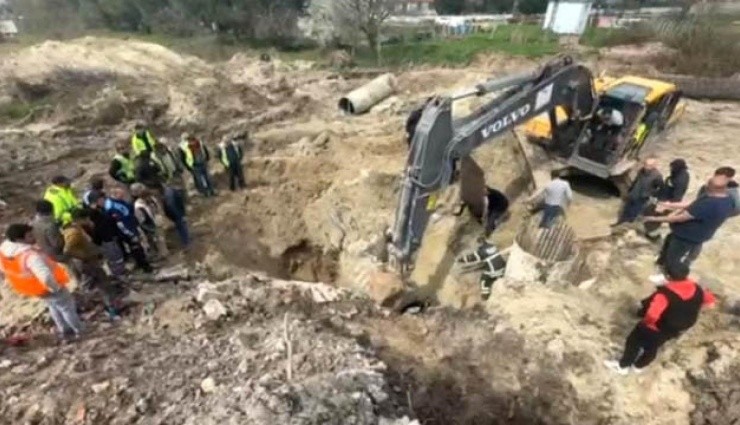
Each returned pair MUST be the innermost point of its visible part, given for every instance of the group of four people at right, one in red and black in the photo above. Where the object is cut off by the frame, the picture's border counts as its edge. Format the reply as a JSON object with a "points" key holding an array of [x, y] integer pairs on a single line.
{"points": [[675, 305]]}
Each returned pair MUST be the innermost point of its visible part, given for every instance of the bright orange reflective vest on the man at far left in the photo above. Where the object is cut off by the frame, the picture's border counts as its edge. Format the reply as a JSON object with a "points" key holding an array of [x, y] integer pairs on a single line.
{"points": [[23, 281]]}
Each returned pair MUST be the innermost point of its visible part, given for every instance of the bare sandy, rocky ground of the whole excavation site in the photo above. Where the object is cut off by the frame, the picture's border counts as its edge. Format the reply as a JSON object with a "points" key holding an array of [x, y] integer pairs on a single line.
{"points": [[237, 346]]}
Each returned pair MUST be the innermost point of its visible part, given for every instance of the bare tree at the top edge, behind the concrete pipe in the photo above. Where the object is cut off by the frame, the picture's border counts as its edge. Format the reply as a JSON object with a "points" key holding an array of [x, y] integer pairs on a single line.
{"points": [[365, 16]]}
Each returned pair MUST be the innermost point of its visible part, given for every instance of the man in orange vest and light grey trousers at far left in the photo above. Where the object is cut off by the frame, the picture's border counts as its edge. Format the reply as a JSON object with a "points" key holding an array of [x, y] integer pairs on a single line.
{"points": [[32, 273]]}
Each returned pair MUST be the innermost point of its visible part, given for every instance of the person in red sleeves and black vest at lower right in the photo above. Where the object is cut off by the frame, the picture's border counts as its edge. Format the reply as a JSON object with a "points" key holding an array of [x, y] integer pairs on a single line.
{"points": [[669, 312]]}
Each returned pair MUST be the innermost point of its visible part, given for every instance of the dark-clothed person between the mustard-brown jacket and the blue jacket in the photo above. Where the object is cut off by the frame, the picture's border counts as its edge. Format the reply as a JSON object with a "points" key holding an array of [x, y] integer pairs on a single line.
{"points": [[105, 234]]}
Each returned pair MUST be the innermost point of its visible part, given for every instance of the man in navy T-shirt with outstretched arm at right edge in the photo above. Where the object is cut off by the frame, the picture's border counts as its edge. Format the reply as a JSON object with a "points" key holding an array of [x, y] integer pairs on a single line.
{"points": [[693, 226]]}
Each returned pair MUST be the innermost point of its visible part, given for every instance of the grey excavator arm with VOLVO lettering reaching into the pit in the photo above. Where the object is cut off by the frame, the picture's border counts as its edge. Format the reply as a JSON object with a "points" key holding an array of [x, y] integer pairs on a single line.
{"points": [[439, 141]]}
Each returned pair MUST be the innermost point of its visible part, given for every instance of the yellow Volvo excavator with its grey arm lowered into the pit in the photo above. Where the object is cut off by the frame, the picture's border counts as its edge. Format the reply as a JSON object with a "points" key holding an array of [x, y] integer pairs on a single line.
{"points": [[561, 99]]}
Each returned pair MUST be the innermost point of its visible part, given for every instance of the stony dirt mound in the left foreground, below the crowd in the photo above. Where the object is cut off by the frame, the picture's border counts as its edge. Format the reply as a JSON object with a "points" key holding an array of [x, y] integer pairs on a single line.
{"points": [[275, 357]]}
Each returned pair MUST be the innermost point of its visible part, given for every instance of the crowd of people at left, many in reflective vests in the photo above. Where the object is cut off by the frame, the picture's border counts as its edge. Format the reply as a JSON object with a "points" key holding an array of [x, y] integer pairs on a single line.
{"points": [[72, 235]]}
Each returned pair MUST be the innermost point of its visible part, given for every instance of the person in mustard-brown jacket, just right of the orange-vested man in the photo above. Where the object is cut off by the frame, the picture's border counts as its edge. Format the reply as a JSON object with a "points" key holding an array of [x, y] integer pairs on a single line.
{"points": [[79, 246]]}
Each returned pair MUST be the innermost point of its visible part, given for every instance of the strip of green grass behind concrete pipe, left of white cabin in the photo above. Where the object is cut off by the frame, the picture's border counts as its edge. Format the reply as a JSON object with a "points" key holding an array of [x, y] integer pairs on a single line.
{"points": [[517, 40]]}
